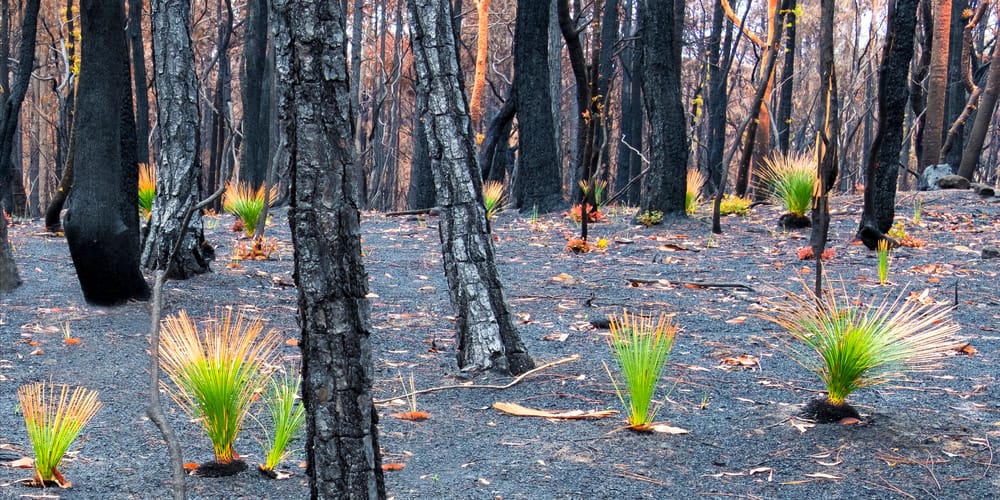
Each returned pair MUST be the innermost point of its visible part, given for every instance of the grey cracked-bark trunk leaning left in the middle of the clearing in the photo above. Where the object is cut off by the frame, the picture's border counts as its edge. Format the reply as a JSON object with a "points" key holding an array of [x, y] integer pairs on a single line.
{"points": [[486, 332]]}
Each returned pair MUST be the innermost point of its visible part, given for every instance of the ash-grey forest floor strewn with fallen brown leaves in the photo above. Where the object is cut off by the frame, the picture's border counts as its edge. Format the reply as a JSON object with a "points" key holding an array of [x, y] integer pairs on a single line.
{"points": [[931, 435]]}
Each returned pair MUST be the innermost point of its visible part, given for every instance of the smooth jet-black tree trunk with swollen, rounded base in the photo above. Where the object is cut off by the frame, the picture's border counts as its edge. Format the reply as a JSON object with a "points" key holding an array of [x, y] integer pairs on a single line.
{"points": [[102, 222]]}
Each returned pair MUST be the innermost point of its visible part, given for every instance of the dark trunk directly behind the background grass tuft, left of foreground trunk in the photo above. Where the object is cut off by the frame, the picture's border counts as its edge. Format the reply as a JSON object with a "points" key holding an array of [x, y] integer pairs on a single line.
{"points": [[255, 153]]}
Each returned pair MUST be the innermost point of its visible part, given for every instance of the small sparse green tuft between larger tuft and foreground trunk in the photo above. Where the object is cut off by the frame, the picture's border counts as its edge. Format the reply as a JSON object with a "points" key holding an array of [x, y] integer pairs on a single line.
{"points": [[287, 417]]}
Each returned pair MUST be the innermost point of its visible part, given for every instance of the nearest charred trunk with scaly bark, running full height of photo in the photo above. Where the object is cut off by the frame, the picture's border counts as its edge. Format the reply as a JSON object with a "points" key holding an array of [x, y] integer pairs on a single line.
{"points": [[314, 109]]}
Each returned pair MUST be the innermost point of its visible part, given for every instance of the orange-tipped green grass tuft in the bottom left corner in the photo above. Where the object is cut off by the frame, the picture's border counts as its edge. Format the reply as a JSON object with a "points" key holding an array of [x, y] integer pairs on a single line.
{"points": [[54, 417]]}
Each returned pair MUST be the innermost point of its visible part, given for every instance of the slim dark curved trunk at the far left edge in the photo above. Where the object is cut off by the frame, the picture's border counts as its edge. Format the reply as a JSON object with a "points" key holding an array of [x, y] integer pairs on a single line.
{"points": [[10, 105]]}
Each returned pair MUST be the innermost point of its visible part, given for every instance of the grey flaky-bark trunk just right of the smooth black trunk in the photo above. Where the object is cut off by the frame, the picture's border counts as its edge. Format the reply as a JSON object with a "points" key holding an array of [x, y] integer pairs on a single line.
{"points": [[178, 168]]}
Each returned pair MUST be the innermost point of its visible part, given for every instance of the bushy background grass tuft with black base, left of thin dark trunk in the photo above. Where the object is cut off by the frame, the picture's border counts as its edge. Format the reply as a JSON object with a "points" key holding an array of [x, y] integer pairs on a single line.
{"points": [[791, 180]]}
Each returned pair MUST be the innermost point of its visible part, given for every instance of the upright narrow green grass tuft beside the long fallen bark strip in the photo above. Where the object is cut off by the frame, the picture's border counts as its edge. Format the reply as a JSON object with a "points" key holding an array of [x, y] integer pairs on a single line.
{"points": [[642, 348]]}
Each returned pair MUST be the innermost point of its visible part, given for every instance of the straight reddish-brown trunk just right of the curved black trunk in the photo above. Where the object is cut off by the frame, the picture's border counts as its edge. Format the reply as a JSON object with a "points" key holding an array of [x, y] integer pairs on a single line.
{"points": [[937, 82]]}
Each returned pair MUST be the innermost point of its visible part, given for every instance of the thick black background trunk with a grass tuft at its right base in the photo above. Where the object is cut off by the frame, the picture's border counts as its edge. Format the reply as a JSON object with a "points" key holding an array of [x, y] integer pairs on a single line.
{"points": [[661, 27]]}
